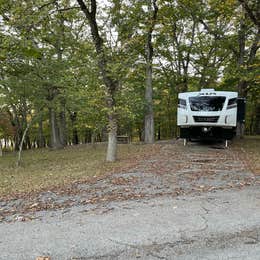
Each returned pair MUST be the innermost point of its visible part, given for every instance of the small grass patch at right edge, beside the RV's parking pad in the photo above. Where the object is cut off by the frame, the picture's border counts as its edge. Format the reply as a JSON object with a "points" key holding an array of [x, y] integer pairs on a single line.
{"points": [[250, 145]]}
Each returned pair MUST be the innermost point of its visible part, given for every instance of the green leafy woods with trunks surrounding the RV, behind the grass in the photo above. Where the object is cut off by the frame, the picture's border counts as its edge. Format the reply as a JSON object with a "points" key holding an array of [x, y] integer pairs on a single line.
{"points": [[83, 71]]}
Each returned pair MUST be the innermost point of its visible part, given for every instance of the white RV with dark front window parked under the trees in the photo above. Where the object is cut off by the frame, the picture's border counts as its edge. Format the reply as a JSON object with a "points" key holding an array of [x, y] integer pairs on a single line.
{"points": [[208, 114]]}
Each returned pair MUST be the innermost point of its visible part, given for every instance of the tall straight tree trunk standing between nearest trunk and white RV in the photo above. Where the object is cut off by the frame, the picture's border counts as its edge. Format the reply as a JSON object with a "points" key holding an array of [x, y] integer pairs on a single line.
{"points": [[149, 116]]}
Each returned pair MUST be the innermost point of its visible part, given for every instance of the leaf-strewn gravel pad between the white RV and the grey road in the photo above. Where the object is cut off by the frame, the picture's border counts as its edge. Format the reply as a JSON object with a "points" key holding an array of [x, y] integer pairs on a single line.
{"points": [[174, 170]]}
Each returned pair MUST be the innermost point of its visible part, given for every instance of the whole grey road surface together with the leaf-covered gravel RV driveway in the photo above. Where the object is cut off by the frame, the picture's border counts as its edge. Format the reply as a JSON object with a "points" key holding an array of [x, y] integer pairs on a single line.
{"points": [[194, 202]]}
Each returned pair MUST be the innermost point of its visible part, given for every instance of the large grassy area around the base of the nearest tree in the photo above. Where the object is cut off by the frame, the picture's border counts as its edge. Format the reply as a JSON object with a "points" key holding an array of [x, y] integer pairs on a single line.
{"points": [[43, 169]]}
